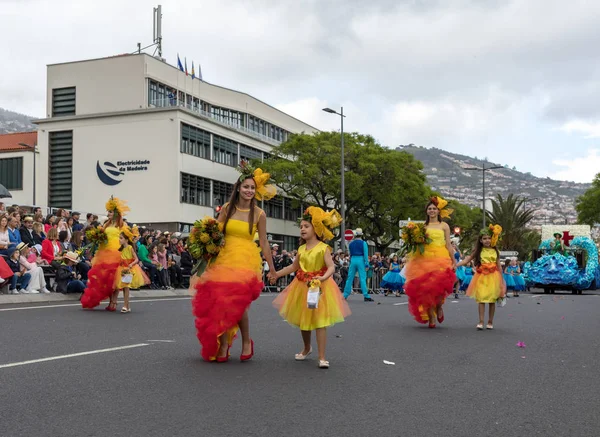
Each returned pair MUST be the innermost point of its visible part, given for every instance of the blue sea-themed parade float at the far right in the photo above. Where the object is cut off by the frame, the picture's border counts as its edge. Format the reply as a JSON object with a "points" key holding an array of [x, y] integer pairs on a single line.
{"points": [[567, 259]]}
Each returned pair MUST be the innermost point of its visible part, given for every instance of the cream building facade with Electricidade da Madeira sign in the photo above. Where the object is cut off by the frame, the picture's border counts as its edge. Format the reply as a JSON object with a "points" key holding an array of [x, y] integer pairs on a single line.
{"points": [[137, 128]]}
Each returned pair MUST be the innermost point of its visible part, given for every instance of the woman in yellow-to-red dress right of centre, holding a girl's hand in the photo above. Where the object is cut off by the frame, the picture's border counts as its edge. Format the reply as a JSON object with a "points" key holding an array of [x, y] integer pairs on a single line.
{"points": [[430, 275]]}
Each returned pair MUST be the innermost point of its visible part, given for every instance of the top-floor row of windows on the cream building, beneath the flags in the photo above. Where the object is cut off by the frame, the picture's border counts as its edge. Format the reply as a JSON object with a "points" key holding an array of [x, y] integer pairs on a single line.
{"points": [[161, 95]]}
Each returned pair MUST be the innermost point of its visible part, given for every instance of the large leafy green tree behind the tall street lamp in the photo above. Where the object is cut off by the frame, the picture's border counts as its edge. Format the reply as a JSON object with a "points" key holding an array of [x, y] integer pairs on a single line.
{"points": [[383, 186]]}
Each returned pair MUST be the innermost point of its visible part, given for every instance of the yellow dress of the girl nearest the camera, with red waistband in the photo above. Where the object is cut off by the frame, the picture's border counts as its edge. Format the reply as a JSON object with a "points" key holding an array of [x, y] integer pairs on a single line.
{"points": [[292, 302]]}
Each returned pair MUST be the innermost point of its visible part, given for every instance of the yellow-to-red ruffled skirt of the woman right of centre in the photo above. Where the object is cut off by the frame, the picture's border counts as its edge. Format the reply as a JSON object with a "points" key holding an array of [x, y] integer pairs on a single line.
{"points": [[429, 280]]}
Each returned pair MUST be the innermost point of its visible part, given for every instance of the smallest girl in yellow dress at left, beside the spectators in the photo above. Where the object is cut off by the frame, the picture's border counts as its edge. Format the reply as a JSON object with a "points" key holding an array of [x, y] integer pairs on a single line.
{"points": [[129, 274]]}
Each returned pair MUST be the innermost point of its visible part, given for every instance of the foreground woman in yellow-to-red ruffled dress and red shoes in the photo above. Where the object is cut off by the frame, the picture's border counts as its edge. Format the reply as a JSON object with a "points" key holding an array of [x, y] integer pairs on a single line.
{"points": [[224, 292]]}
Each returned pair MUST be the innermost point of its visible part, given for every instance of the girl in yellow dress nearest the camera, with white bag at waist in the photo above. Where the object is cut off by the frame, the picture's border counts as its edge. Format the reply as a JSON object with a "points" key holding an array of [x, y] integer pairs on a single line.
{"points": [[313, 264]]}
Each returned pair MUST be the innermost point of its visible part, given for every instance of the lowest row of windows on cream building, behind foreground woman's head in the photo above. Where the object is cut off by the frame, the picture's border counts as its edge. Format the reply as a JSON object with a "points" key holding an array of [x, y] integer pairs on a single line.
{"points": [[197, 190]]}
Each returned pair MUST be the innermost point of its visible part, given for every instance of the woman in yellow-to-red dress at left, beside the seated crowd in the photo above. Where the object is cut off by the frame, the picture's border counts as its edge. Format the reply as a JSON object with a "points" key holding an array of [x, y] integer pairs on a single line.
{"points": [[106, 261]]}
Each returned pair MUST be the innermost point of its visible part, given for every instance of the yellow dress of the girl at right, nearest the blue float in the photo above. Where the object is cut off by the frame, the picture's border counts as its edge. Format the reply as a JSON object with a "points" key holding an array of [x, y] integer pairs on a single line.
{"points": [[488, 283]]}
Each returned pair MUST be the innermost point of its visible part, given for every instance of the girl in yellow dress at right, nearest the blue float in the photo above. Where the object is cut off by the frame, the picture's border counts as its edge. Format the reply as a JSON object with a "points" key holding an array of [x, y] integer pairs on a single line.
{"points": [[487, 285]]}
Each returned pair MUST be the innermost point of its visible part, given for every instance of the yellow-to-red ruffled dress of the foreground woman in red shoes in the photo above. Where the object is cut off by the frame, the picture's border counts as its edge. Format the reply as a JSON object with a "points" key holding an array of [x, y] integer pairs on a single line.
{"points": [[225, 291]]}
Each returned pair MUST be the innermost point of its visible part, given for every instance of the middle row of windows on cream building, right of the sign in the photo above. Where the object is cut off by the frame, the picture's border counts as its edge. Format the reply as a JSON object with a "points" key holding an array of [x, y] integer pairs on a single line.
{"points": [[197, 142]]}
